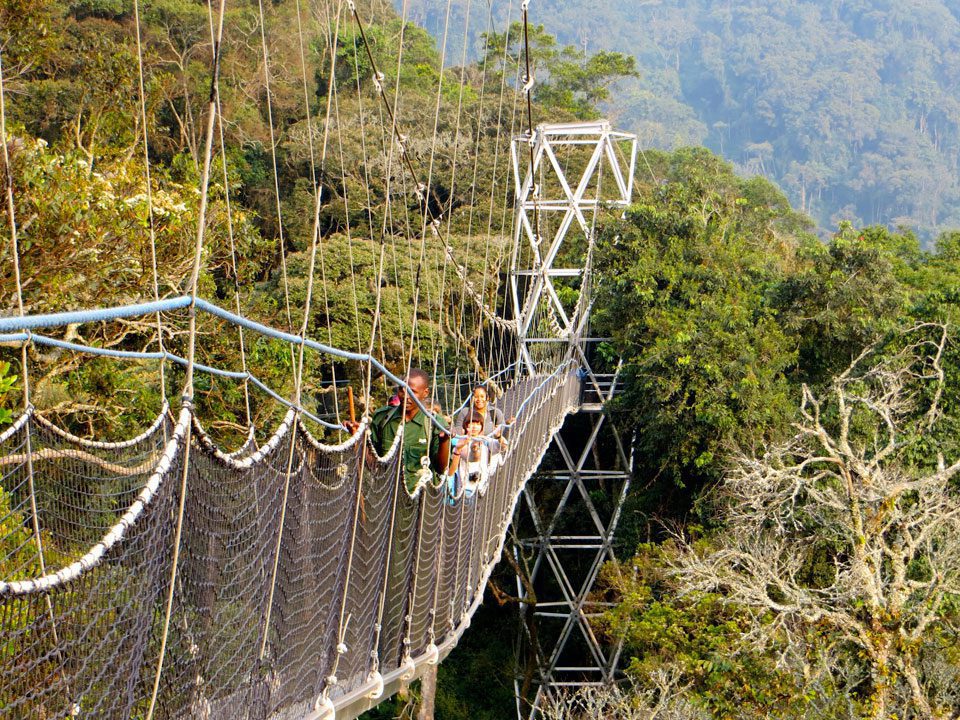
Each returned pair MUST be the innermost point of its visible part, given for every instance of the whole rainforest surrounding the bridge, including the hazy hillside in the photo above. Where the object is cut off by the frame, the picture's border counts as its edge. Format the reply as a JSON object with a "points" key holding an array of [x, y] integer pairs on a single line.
{"points": [[791, 370]]}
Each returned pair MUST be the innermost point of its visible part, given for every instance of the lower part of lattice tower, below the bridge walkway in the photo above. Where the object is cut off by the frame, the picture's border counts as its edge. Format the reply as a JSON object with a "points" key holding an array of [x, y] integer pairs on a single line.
{"points": [[565, 531]]}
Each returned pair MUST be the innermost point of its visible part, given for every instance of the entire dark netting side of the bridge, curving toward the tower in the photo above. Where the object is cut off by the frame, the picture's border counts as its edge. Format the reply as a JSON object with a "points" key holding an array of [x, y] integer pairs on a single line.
{"points": [[303, 570]]}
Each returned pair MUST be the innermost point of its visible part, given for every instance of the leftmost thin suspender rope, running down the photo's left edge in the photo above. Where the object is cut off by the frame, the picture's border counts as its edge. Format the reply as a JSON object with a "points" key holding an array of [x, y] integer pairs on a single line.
{"points": [[27, 406]]}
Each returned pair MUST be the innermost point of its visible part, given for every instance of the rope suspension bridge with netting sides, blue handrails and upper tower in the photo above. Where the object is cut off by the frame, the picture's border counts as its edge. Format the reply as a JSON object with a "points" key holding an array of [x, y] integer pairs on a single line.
{"points": [[163, 576]]}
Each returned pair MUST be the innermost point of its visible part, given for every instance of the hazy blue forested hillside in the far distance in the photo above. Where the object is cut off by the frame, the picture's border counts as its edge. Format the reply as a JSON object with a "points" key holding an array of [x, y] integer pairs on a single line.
{"points": [[851, 106]]}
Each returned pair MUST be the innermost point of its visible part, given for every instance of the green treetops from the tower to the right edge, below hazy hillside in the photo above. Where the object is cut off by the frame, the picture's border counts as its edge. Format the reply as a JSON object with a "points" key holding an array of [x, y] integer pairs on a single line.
{"points": [[721, 304]]}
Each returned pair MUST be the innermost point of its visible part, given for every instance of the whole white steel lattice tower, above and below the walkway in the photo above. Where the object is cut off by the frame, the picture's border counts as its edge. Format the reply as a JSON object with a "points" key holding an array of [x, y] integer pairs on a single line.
{"points": [[589, 476]]}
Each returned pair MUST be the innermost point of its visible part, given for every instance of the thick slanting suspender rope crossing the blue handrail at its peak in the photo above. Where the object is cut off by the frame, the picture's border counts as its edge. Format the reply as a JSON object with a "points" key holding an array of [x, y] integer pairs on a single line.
{"points": [[191, 354]]}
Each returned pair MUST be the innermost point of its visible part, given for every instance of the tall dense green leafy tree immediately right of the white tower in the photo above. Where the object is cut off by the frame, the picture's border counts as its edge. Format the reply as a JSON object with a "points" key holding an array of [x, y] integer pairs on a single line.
{"points": [[683, 292]]}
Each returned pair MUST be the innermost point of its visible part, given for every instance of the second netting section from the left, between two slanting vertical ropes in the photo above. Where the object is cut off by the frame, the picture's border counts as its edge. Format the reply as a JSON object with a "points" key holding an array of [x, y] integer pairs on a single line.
{"points": [[232, 518]]}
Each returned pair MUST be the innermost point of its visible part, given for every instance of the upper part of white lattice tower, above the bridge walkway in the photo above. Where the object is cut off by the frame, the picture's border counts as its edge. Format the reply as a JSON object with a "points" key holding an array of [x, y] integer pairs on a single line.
{"points": [[564, 173]]}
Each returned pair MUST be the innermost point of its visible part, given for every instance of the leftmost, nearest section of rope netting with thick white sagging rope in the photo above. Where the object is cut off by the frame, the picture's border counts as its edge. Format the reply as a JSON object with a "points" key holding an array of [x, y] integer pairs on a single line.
{"points": [[85, 645]]}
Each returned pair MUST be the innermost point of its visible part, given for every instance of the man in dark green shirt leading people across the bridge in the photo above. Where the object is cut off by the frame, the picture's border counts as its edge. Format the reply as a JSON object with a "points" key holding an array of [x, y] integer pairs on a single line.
{"points": [[426, 448]]}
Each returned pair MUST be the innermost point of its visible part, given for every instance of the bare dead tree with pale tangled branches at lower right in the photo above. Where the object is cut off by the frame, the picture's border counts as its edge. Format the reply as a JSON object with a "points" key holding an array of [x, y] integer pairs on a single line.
{"points": [[857, 494]]}
